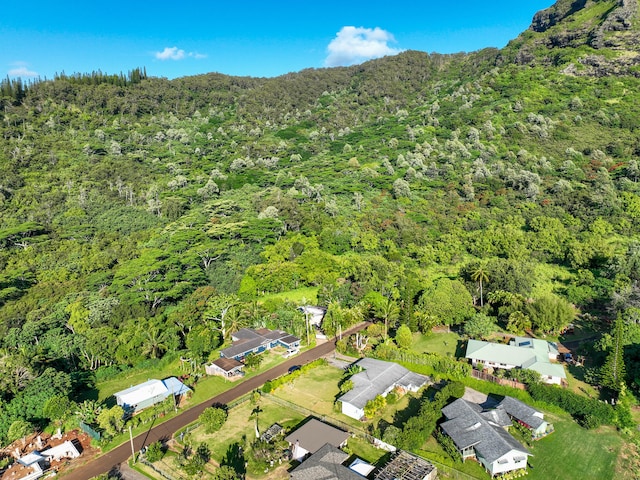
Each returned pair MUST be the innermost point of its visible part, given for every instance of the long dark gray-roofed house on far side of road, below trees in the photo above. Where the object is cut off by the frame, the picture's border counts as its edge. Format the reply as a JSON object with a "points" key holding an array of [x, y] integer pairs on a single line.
{"points": [[248, 340]]}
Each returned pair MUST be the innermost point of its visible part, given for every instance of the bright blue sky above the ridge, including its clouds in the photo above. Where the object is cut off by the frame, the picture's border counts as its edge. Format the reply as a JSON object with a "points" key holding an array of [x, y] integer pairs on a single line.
{"points": [[256, 38]]}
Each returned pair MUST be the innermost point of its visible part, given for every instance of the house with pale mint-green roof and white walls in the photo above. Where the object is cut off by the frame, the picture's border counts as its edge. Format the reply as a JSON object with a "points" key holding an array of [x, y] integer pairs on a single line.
{"points": [[529, 353]]}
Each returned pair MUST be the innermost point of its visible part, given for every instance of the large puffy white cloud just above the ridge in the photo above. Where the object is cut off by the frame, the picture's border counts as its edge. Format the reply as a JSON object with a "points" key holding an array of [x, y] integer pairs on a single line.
{"points": [[355, 45]]}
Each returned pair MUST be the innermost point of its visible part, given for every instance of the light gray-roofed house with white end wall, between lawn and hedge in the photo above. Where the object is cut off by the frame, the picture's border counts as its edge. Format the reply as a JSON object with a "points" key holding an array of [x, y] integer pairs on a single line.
{"points": [[377, 378]]}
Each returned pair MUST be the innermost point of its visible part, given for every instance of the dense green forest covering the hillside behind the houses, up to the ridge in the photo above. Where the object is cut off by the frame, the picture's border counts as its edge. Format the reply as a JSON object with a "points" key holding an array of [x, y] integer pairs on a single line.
{"points": [[140, 216]]}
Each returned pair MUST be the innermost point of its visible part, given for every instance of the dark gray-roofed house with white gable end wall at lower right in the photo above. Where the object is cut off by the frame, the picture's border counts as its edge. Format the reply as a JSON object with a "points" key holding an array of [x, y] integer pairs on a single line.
{"points": [[476, 435]]}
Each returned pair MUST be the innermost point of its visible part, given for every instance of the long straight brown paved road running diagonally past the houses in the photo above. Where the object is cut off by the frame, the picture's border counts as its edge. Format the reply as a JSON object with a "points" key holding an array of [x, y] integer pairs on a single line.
{"points": [[165, 430]]}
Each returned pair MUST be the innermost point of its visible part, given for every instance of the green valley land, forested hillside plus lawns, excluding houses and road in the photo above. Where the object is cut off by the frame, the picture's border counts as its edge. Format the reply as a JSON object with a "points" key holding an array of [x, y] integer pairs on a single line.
{"points": [[432, 200]]}
